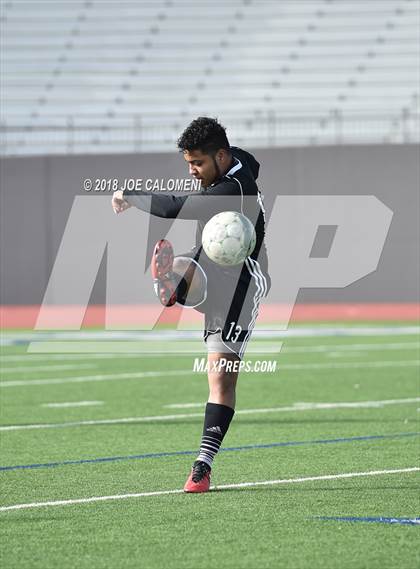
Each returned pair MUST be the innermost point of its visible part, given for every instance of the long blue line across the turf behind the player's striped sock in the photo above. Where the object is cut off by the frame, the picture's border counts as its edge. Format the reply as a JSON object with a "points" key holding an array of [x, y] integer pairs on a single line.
{"points": [[193, 452]]}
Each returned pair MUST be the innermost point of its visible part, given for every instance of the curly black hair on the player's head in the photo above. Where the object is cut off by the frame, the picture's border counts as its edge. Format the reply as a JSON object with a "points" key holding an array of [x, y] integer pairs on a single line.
{"points": [[205, 134]]}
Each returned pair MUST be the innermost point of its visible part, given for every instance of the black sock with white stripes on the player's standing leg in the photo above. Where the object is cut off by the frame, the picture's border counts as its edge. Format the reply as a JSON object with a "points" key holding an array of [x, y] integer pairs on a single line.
{"points": [[216, 423]]}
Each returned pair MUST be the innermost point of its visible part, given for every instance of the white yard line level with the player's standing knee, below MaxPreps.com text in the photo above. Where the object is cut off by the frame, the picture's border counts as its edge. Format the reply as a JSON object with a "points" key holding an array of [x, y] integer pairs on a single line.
{"points": [[138, 375]]}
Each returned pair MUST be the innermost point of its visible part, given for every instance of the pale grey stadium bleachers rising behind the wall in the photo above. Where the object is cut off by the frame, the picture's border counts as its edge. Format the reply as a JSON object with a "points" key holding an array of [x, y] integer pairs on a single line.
{"points": [[105, 76]]}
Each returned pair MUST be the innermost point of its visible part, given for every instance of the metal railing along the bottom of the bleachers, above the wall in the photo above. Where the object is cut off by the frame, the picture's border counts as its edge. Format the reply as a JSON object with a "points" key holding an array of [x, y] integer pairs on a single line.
{"points": [[265, 129]]}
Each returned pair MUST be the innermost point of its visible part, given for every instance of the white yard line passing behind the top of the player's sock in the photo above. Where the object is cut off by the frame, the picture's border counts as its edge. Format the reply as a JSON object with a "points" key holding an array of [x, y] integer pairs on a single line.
{"points": [[301, 406]]}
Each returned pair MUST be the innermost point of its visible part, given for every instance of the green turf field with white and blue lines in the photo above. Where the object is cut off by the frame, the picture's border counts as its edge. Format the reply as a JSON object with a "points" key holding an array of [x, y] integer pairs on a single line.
{"points": [[122, 416]]}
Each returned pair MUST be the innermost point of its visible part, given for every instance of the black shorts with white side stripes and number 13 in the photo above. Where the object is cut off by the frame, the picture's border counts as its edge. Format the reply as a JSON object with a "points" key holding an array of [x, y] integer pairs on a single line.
{"points": [[232, 302]]}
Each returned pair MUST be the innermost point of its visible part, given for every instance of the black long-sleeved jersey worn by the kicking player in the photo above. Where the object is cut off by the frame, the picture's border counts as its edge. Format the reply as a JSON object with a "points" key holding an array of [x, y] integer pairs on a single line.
{"points": [[238, 184]]}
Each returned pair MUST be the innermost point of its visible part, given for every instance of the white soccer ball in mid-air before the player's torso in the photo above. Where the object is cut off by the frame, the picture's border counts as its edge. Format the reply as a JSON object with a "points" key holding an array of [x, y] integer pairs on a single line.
{"points": [[228, 238]]}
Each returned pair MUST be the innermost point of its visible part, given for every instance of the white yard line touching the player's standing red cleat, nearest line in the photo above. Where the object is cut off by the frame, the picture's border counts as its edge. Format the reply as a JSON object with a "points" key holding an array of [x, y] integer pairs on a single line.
{"points": [[92, 499]]}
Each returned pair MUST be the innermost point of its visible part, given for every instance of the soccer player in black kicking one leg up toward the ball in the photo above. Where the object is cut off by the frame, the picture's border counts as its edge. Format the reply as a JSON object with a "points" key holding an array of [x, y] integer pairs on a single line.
{"points": [[229, 297]]}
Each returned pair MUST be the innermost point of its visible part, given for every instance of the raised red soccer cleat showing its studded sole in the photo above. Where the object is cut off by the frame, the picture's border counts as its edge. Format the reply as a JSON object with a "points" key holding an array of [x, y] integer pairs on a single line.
{"points": [[163, 276]]}
